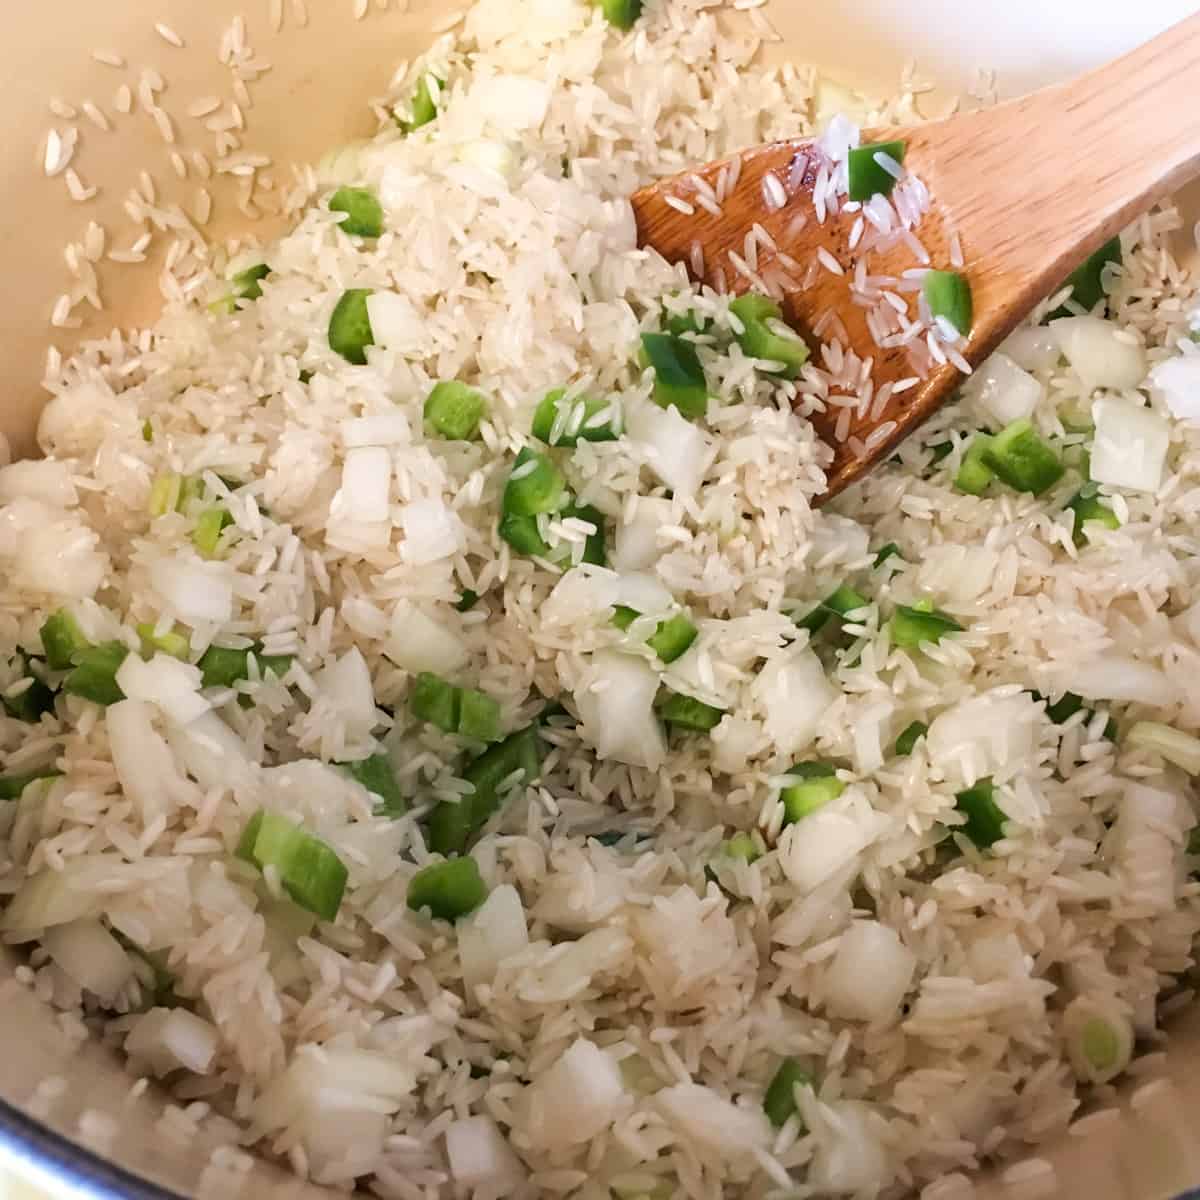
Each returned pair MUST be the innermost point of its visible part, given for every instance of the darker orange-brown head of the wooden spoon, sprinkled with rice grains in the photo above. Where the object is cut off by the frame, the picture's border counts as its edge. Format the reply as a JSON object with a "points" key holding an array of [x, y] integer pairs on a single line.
{"points": [[886, 389]]}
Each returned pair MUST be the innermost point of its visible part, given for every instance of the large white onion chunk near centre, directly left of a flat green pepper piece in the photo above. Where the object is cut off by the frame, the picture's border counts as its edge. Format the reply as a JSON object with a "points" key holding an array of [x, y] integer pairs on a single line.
{"points": [[616, 706]]}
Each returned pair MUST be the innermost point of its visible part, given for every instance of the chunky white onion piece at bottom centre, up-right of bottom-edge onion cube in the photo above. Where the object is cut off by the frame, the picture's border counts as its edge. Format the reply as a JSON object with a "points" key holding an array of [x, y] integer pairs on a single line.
{"points": [[577, 1099]]}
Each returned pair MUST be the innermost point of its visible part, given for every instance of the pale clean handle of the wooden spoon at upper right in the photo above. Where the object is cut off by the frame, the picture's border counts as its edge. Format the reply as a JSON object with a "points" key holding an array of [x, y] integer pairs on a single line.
{"points": [[1036, 185]]}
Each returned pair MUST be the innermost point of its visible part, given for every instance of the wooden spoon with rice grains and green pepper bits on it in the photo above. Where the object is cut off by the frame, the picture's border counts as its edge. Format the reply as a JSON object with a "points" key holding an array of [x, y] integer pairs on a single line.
{"points": [[1030, 188]]}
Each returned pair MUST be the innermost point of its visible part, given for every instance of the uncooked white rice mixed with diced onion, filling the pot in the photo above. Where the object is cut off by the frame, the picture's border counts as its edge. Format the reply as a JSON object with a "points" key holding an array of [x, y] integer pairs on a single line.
{"points": [[661, 982]]}
